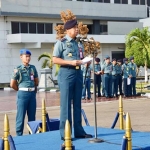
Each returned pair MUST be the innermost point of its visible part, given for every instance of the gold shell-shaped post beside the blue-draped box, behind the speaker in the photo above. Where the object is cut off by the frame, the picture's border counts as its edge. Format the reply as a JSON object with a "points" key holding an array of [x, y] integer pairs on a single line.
{"points": [[43, 116]]}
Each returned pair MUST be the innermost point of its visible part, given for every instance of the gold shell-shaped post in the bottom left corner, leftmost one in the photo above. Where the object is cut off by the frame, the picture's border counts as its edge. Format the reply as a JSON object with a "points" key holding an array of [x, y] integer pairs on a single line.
{"points": [[6, 133]]}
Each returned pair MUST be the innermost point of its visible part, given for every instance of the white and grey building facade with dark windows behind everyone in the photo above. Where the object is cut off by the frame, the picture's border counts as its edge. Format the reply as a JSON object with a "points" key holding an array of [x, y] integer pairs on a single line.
{"points": [[30, 24]]}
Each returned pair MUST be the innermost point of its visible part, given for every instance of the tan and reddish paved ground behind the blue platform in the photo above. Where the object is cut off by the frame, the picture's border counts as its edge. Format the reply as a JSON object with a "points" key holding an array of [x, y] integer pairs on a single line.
{"points": [[139, 109]]}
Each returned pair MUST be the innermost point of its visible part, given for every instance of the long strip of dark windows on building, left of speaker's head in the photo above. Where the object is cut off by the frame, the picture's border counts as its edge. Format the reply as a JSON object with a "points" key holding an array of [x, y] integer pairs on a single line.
{"points": [[30, 27]]}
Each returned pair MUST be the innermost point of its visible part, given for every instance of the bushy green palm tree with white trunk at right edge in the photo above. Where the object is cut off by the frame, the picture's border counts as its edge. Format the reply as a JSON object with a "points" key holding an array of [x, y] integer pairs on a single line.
{"points": [[138, 45]]}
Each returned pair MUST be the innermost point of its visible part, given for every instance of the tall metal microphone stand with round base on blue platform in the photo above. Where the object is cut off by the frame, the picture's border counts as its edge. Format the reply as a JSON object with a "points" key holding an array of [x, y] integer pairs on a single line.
{"points": [[95, 139]]}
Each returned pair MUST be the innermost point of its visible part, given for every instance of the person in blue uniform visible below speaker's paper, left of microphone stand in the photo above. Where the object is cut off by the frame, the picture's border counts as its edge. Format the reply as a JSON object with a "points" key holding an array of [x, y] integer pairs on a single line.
{"points": [[86, 81]]}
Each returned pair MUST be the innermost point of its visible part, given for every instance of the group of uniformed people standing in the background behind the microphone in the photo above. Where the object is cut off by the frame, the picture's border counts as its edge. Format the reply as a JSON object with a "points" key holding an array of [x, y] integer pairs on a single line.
{"points": [[111, 75]]}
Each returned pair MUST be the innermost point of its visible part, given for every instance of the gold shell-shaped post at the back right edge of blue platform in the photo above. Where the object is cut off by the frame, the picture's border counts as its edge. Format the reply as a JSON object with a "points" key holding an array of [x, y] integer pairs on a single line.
{"points": [[121, 121]]}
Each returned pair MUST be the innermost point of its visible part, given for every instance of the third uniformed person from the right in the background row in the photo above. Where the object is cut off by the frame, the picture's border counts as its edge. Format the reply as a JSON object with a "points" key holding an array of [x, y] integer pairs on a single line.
{"points": [[119, 76]]}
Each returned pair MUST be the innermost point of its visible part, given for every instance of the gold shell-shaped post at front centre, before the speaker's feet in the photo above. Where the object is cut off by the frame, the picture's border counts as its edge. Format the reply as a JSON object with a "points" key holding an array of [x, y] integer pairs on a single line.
{"points": [[68, 143]]}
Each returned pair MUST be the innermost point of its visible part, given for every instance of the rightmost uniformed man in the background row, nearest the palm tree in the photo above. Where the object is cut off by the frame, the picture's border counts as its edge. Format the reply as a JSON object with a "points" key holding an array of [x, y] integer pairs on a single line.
{"points": [[133, 69]]}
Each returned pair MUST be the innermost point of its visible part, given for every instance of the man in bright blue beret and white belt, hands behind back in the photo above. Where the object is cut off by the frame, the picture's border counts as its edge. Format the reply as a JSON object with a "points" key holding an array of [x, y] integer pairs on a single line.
{"points": [[25, 81]]}
